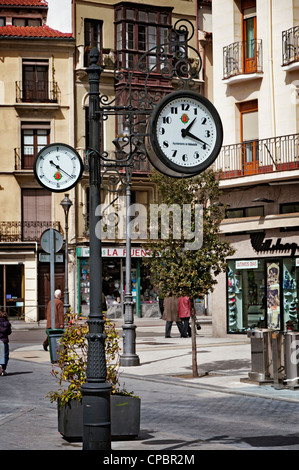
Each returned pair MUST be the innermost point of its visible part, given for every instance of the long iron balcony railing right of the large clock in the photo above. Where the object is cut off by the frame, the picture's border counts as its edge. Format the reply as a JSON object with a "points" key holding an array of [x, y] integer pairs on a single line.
{"points": [[259, 156]]}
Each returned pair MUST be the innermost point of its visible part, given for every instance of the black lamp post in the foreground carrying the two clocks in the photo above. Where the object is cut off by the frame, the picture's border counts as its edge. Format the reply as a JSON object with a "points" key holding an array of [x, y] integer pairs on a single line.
{"points": [[96, 391]]}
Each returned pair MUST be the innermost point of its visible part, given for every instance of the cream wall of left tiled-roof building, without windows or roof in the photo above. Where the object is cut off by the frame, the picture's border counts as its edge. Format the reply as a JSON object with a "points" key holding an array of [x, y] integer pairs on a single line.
{"points": [[61, 120]]}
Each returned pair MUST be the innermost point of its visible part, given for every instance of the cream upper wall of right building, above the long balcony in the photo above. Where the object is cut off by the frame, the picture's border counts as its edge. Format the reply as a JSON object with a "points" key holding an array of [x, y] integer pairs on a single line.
{"points": [[275, 90]]}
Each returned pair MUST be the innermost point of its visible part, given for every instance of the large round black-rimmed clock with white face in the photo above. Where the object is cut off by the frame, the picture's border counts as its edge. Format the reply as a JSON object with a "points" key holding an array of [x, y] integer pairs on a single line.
{"points": [[185, 134]]}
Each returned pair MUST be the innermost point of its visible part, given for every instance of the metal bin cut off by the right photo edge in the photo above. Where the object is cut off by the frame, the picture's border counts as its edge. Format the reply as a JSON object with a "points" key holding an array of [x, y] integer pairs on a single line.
{"points": [[291, 352]]}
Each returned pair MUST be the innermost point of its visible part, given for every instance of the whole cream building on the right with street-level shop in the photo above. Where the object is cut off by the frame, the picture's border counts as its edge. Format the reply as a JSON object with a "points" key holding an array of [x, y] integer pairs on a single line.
{"points": [[255, 78]]}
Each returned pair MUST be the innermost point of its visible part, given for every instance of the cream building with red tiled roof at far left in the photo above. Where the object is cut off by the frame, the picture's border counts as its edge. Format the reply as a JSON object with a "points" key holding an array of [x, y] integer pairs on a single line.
{"points": [[37, 108]]}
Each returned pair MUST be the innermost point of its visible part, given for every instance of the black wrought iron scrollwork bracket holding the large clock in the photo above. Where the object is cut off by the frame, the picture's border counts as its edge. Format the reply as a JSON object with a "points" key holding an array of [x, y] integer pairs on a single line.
{"points": [[133, 102]]}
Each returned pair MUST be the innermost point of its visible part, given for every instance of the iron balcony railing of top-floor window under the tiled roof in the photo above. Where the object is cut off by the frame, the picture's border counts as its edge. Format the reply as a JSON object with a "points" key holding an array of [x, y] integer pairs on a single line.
{"points": [[41, 91]]}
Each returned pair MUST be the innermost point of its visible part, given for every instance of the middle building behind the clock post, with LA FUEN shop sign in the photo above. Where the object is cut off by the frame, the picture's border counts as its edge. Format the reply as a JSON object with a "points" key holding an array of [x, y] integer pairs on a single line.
{"points": [[123, 32]]}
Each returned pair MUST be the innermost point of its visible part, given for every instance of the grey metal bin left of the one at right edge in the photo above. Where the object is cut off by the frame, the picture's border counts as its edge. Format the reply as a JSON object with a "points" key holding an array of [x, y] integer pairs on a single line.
{"points": [[261, 359]]}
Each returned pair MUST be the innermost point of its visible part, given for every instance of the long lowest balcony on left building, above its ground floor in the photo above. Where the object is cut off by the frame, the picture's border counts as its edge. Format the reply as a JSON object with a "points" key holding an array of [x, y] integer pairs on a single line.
{"points": [[16, 231]]}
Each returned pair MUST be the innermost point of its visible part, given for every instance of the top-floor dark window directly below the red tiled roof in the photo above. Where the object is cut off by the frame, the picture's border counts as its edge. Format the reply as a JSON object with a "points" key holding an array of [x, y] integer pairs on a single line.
{"points": [[35, 81]]}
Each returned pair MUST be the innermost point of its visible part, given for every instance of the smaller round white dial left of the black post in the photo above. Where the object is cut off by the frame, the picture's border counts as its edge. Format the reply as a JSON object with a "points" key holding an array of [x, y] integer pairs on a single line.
{"points": [[58, 167]]}
